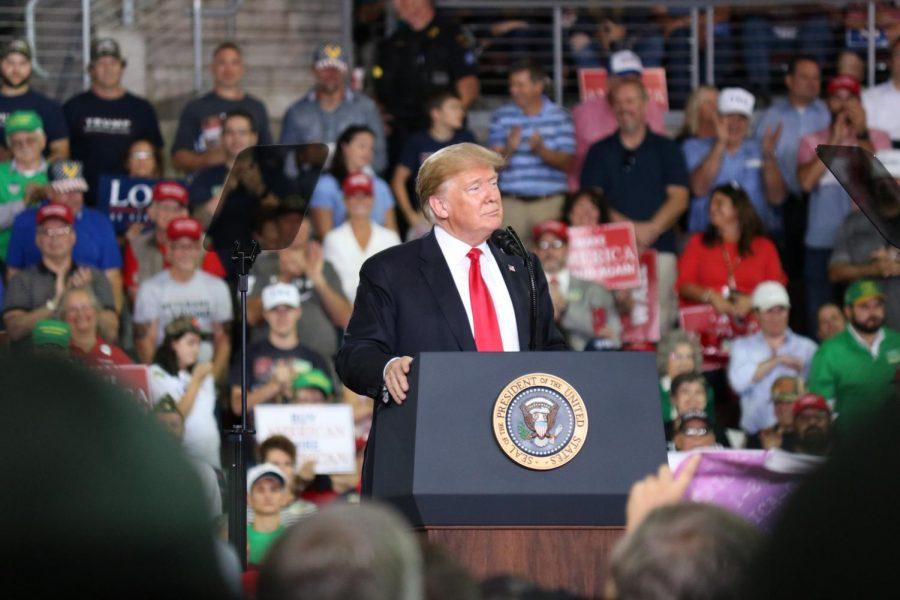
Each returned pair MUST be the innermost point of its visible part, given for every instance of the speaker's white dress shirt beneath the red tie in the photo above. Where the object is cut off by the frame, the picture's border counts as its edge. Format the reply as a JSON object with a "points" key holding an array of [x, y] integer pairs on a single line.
{"points": [[455, 251]]}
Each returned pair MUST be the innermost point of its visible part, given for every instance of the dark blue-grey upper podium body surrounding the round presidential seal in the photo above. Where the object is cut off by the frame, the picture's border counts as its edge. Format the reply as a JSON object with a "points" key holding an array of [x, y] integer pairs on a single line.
{"points": [[437, 458]]}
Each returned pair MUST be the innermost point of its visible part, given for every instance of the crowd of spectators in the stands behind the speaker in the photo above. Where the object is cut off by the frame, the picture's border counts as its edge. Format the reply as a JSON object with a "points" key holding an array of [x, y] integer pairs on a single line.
{"points": [[738, 215]]}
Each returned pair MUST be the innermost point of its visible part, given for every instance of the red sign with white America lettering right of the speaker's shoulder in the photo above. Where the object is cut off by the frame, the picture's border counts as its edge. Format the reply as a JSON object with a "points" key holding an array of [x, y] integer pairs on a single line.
{"points": [[606, 254]]}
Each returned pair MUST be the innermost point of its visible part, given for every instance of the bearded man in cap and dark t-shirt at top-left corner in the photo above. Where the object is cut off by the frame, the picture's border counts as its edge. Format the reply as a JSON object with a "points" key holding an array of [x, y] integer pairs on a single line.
{"points": [[16, 94]]}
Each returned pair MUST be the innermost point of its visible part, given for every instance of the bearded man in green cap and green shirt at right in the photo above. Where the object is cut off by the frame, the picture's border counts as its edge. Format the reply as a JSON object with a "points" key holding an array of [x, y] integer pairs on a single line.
{"points": [[855, 369]]}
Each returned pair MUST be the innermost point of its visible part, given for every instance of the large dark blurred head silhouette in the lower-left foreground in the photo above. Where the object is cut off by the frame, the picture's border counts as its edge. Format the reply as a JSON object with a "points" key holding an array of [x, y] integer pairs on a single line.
{"points": [[98, 501]]}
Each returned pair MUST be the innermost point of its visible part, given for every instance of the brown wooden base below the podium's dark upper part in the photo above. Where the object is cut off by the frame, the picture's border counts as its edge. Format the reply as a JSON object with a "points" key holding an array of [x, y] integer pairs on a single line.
{"points": [[574, 559]]}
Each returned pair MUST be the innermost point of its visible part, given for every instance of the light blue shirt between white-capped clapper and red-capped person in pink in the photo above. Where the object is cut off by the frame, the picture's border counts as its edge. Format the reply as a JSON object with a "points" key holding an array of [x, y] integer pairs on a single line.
{"points": [[795, 123]]}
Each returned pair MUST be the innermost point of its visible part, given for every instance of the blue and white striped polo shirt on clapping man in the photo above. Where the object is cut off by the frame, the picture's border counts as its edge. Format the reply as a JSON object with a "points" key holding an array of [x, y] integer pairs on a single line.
{"points": [[526, 174]]}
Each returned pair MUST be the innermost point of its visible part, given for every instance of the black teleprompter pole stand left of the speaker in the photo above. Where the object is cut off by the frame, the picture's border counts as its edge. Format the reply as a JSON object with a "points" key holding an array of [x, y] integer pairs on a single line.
{"points": [[239, 434]]}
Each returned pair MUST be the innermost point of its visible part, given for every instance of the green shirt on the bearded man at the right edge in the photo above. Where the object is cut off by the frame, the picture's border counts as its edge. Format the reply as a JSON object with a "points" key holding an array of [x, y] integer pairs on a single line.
{"points": [[845, 371]]}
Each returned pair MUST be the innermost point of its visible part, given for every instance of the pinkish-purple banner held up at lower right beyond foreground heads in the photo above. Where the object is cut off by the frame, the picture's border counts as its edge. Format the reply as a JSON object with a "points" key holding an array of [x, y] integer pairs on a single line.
{"points": [[754, 484]]}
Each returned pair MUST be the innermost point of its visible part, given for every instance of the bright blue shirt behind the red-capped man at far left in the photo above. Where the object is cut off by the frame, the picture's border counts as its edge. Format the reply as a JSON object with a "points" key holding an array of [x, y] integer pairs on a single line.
{"points": [[95, 245]]}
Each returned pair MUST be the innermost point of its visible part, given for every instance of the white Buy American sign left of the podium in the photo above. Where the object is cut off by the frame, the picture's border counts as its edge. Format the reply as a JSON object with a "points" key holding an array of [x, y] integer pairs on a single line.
{"points": [[321, 432]]}
